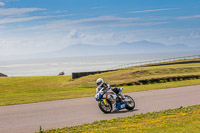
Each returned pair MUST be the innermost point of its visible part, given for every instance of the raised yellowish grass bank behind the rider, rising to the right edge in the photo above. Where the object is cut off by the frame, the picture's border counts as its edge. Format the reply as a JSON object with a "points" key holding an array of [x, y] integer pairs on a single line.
{"points": [[137, 73]]}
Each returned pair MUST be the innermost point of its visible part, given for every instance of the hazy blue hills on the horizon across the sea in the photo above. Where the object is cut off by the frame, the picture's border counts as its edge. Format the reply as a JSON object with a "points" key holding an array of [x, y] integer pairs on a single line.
{"points": [[122, 48]]}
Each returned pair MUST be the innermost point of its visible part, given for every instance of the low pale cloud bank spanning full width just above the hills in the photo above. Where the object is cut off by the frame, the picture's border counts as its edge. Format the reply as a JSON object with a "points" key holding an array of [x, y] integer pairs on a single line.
{"points": [[50, 41]]}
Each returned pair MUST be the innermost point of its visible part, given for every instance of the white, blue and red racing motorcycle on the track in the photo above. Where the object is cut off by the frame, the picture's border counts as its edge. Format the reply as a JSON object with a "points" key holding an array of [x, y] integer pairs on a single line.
{"points": [[110, 101]]}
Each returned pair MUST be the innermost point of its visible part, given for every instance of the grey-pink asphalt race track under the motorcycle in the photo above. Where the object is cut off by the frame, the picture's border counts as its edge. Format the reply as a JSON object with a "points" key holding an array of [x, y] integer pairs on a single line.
{"points": [[27, 118]]}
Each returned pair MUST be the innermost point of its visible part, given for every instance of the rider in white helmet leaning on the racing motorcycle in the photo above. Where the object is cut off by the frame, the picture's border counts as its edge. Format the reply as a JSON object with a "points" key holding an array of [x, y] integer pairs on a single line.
{"points": [[101, 84]]}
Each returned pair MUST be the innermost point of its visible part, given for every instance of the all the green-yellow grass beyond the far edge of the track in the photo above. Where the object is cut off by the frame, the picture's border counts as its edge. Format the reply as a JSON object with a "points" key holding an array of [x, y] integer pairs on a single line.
{"points": [[19, 90]]}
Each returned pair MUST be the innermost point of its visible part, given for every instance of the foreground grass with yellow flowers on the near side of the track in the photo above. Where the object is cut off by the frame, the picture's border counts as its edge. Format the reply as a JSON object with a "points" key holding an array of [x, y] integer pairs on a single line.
{"points": [[186, 120]]}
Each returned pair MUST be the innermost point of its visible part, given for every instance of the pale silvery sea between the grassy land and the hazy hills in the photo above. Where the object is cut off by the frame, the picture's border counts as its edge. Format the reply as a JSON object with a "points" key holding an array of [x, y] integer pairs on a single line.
{"points": [[52, 67]]}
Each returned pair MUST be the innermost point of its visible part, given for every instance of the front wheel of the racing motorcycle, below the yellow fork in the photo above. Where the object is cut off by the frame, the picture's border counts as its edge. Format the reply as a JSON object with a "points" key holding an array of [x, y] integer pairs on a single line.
{"points": [[106, 108]]}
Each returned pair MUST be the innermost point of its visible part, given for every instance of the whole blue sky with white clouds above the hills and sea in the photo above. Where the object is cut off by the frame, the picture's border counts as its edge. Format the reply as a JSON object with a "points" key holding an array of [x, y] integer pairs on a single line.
{"points": [[35, 26]]}
